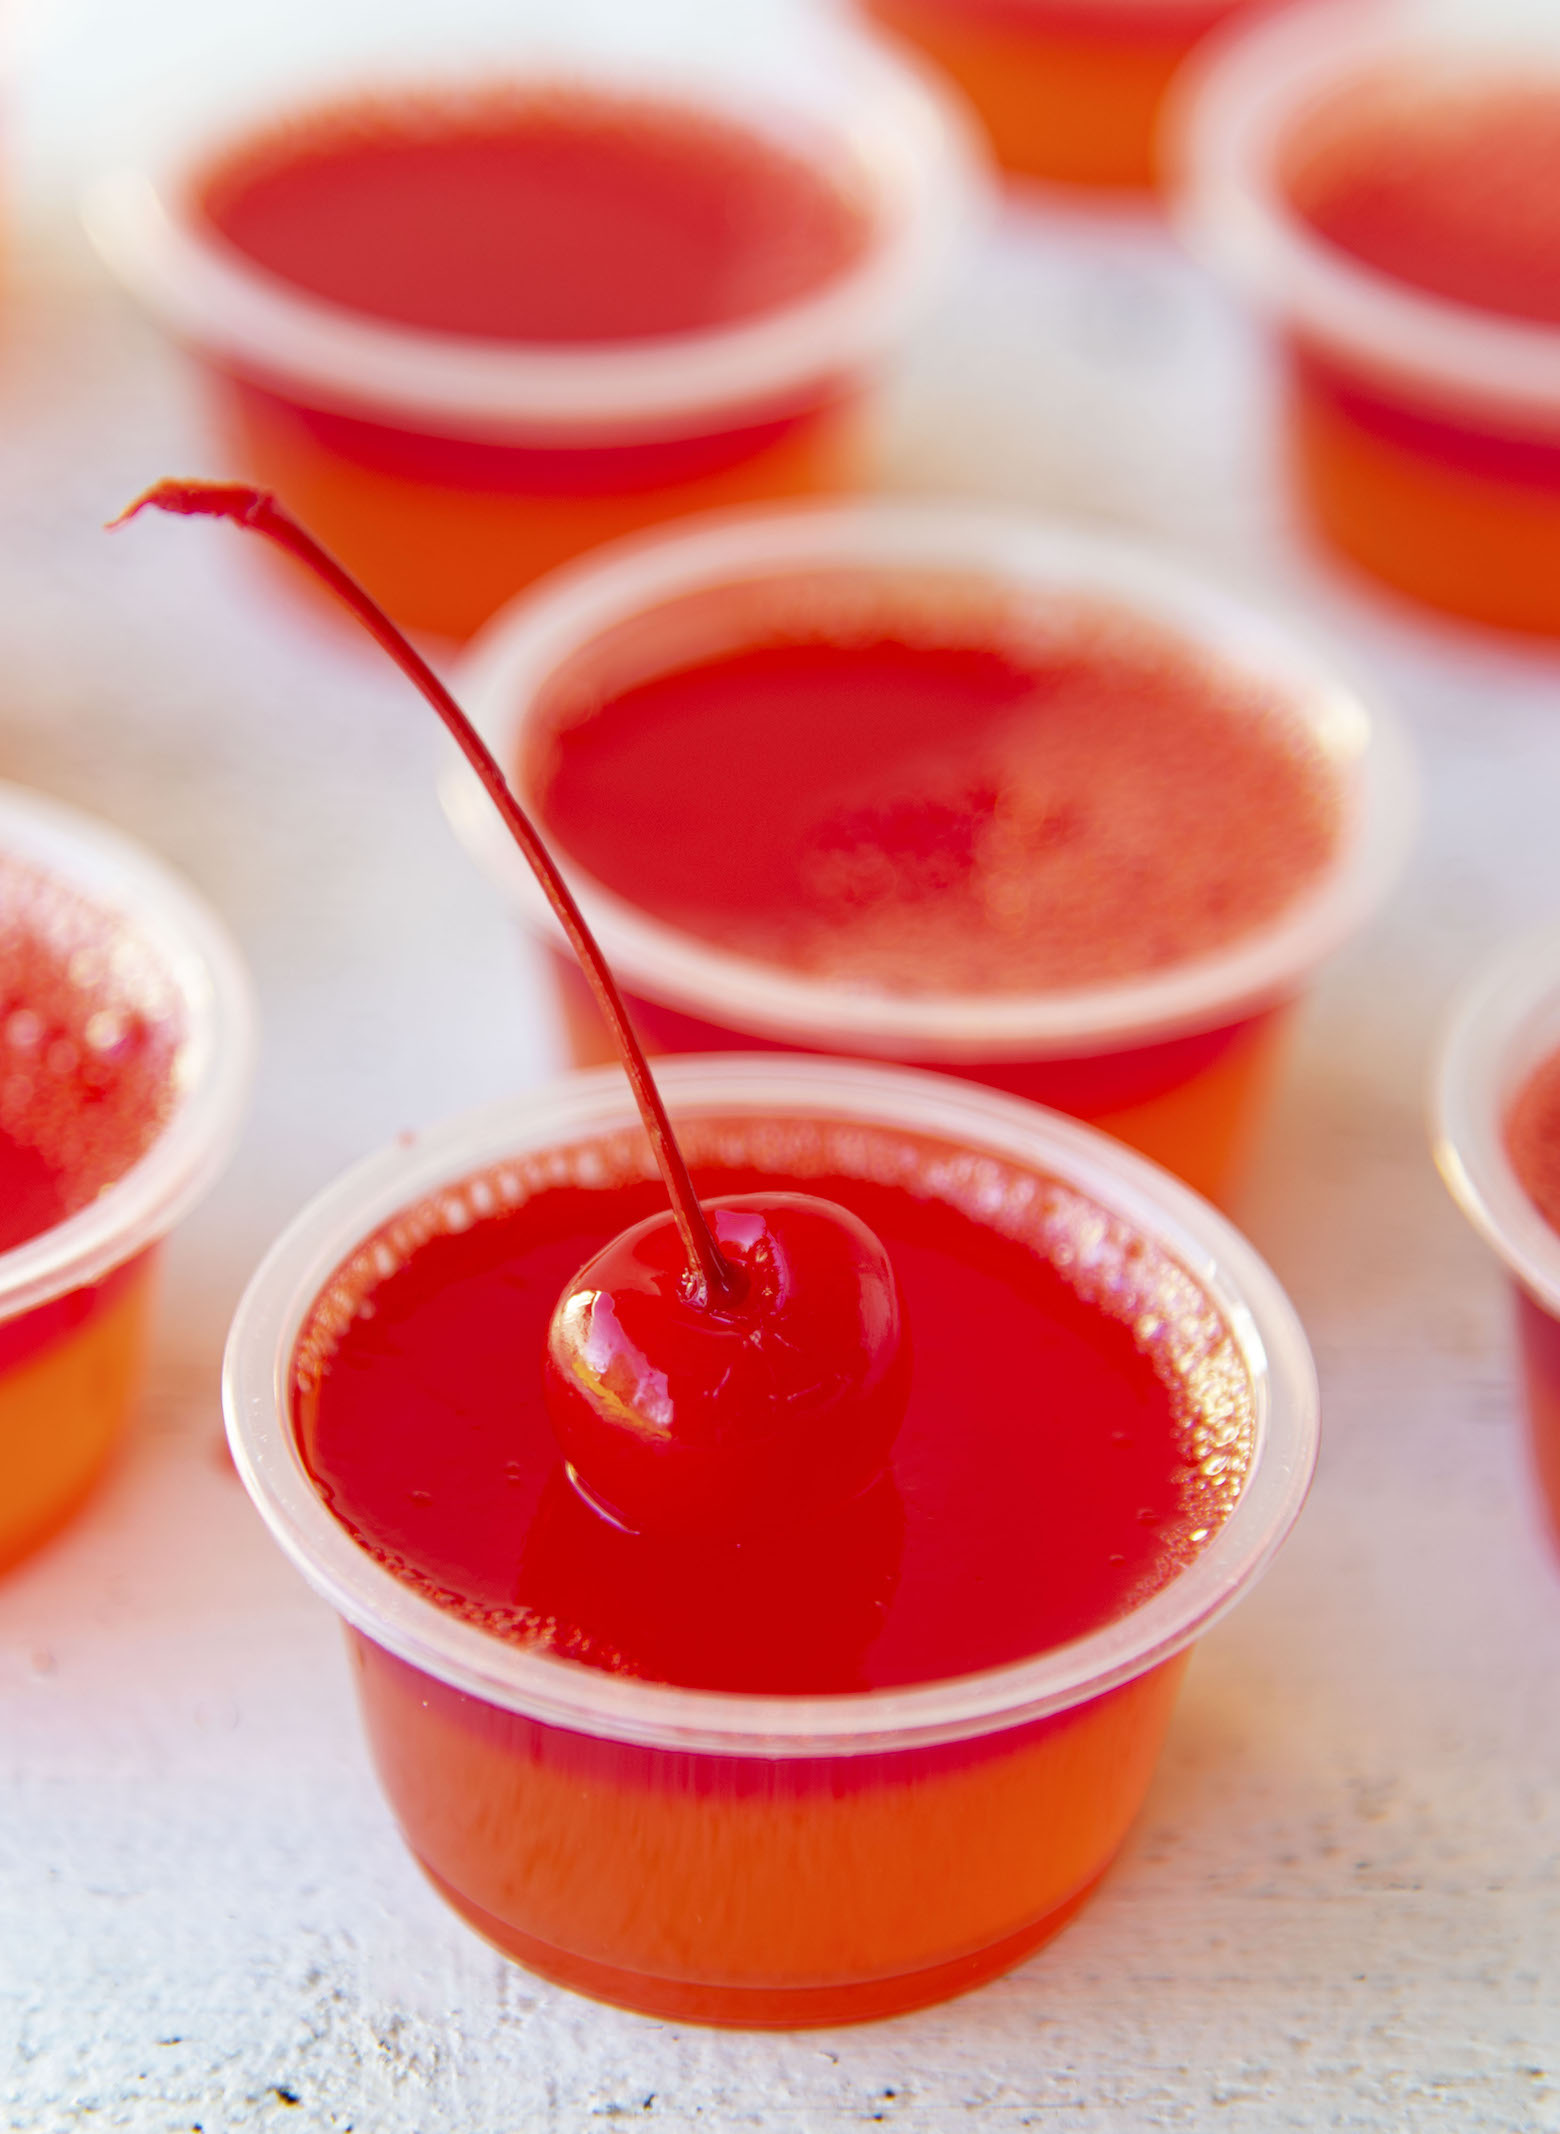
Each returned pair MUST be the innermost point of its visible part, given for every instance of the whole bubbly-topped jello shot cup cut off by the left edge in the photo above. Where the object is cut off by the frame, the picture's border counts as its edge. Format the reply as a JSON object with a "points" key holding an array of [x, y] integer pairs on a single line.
{"points": [[125, 1062]]}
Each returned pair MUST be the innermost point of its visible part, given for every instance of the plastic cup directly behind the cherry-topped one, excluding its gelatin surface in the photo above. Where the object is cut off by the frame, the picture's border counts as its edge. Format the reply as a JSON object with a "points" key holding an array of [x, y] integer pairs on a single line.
{"points": [[1179, 1062]]}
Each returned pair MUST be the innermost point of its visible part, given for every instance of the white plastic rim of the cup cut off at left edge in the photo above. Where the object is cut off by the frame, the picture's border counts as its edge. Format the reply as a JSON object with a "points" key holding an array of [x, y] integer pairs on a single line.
{"points": [[212, 1070]]}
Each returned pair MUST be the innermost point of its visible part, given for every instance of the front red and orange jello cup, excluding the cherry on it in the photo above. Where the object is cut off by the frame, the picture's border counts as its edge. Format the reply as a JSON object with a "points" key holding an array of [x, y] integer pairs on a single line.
{"points": [[835, 1770]]}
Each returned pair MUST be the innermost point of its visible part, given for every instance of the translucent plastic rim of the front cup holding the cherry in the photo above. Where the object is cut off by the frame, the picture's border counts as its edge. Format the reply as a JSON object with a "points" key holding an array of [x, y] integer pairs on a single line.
{"points": [[584, 1700]]}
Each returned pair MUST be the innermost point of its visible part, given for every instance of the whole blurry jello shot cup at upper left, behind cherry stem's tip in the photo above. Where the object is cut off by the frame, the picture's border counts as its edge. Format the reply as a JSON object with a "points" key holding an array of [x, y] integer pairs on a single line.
{"points": [[471, 321]]}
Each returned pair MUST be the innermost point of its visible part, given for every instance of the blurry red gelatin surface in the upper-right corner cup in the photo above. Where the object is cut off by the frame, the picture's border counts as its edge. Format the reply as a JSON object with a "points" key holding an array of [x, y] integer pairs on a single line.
{"points": [[1454, 191]]}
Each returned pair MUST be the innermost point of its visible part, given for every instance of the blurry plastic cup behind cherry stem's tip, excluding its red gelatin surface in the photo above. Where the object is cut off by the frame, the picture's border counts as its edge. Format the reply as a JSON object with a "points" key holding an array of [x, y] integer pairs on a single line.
{"points": [[449, 471]]}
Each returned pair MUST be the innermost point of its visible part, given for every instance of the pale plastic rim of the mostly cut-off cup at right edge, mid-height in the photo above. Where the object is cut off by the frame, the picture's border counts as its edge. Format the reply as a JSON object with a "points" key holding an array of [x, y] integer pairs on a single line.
{"points": [[1501, 1025]]}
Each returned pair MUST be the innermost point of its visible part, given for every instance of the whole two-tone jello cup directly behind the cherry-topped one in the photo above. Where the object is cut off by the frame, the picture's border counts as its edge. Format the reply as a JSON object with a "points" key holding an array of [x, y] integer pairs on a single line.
{"points": [[946, 789]]}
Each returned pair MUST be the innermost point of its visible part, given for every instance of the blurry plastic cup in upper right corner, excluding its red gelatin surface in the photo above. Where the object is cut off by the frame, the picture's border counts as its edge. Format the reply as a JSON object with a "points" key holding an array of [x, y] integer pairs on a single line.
{"points": [[1422, 434]]}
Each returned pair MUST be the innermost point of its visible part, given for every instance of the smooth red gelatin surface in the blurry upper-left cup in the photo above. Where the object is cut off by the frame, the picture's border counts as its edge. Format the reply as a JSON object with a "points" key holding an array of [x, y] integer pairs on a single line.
{"points": [[556, 217]]}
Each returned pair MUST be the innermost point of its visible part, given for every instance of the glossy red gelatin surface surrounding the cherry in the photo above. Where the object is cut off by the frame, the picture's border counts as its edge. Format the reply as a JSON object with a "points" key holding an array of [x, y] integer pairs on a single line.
{"points": [[1079, 1424]]}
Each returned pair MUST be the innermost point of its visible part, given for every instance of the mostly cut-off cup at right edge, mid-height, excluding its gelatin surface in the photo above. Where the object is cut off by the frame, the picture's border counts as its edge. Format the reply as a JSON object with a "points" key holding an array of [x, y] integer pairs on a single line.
{"points": [[1503, 1025]]}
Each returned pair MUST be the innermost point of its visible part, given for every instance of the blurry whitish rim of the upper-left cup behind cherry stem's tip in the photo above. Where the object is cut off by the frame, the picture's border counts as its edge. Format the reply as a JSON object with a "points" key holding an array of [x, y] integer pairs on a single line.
{"points": [[906, 136]]}
